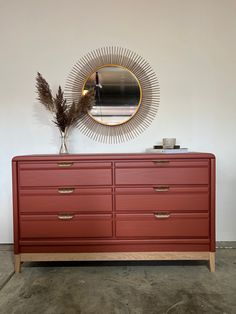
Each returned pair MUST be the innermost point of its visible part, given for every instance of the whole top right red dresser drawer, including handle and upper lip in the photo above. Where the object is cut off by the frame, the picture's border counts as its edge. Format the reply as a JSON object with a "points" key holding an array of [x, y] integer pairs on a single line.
{"points": [[163, 172]]}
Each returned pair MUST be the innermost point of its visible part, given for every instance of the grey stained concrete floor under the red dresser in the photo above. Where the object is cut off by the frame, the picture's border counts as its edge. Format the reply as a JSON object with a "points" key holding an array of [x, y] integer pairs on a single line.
{"points": [[119, 288]]}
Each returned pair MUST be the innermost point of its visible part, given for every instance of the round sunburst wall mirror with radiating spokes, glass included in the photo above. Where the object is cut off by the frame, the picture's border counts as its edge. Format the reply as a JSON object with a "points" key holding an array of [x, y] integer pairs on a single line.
{"points": [[126, 93]]}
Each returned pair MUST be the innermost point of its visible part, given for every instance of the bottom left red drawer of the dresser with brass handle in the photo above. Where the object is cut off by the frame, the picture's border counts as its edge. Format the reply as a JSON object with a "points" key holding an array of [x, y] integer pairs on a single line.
{"points": [[53, 226]]}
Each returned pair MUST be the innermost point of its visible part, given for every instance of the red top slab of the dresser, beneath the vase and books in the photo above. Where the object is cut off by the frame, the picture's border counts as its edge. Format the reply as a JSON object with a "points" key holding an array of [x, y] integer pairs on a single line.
{"points": [[114, 156]]}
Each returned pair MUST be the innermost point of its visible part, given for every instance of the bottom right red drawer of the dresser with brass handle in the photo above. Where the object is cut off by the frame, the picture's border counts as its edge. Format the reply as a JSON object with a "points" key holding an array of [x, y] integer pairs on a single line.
{"points": [[176, 226]]}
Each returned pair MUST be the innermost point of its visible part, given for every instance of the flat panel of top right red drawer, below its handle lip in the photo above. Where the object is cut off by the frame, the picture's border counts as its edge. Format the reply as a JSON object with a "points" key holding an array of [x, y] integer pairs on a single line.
{"points": [[162, 175]]}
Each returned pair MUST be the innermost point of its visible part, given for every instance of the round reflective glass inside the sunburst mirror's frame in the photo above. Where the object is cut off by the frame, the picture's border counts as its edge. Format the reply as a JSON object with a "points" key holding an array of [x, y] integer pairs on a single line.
{"points": [[117, 94]]}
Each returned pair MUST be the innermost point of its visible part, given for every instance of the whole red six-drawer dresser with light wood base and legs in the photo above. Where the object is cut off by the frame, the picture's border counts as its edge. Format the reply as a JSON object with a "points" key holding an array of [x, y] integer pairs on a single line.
{"points": [[114, 207]]}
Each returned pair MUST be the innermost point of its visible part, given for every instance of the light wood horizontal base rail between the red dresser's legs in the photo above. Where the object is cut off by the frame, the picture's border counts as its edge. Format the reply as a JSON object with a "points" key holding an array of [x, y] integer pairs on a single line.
{"points": [[30, 257]]}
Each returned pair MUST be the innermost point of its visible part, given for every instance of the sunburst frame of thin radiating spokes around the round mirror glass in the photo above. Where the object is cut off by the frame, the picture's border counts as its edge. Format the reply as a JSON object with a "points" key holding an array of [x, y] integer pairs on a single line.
{"points": [[149, 89]]}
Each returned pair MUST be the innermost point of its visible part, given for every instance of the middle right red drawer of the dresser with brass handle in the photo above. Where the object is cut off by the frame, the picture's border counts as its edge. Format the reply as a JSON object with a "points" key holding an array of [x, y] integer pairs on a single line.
{"points": [[162, 198]]}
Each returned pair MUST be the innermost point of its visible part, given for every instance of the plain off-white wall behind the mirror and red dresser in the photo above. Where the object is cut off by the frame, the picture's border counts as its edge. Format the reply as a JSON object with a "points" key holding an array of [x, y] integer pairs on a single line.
{"points": [[191, 46]]}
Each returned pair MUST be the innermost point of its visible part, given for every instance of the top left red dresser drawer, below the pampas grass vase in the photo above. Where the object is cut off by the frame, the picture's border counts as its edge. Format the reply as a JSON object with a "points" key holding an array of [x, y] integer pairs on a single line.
{"points": [[65, 174]]}
